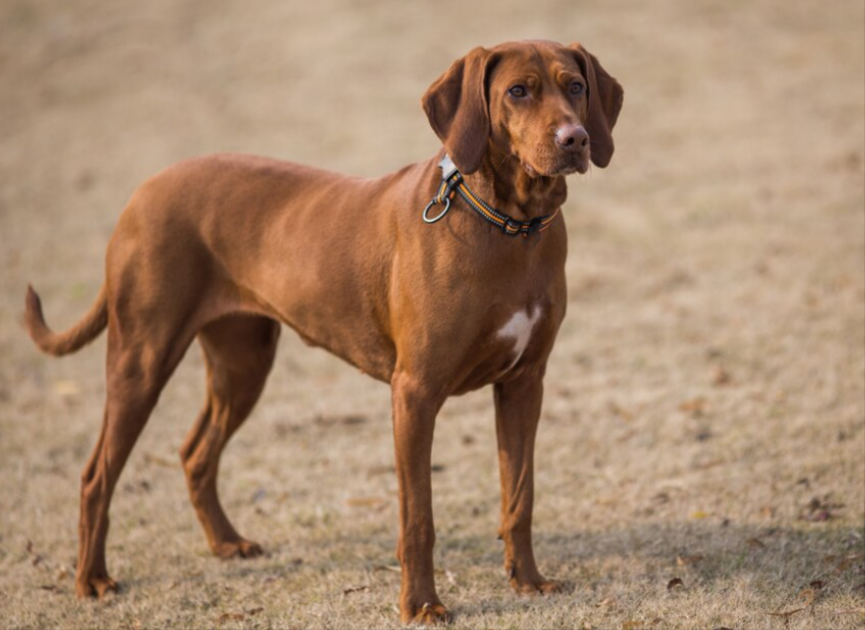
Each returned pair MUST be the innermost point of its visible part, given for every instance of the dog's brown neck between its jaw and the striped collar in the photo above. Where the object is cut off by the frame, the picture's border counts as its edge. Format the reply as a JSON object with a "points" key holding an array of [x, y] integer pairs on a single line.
{"points": [[505, 184]]}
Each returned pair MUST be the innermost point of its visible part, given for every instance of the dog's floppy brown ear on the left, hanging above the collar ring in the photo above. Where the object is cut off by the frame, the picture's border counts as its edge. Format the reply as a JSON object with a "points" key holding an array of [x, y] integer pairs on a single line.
{"points": [[457, 109]]}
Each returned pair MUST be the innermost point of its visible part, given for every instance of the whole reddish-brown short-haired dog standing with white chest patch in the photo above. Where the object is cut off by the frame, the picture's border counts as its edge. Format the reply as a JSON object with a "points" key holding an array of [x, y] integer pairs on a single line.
{"points": [[225, 248]]}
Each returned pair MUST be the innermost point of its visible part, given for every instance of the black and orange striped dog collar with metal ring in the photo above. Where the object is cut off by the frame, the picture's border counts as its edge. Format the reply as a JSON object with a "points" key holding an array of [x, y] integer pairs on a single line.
{"points": [[453, 183]]}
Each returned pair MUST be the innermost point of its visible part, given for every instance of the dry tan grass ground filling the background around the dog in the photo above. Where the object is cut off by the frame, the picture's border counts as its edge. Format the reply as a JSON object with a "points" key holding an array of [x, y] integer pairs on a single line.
{"points": [[708, 383]]}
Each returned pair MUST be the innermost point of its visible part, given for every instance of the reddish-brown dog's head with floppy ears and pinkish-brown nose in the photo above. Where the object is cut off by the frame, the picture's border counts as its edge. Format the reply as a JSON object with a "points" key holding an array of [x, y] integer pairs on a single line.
{"points": [[551, 106]]}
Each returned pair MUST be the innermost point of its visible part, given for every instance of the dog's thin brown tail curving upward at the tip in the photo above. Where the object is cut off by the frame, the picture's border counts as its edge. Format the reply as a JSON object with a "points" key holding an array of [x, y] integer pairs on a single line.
{"points": [[82, 333]]}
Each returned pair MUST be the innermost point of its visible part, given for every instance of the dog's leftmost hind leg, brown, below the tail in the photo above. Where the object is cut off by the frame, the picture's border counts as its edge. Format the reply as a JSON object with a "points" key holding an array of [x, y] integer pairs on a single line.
{"points": [[136, 375]]}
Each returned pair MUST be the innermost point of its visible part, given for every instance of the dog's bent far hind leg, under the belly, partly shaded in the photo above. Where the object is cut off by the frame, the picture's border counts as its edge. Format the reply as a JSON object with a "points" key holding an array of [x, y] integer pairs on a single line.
{"points": [[239, 353]]}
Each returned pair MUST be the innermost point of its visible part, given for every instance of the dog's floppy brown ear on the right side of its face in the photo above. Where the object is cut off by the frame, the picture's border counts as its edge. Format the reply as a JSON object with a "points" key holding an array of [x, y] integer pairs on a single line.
{"points": [[605, 103]]}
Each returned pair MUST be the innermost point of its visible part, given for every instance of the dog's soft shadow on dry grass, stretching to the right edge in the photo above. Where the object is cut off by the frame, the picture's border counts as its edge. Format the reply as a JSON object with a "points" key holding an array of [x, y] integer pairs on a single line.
{"points": [[774, 556]]}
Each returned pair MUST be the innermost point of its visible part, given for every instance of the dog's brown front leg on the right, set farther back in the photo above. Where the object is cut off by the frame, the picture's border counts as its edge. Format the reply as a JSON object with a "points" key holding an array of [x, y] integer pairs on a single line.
{"points": [[518, 409]]}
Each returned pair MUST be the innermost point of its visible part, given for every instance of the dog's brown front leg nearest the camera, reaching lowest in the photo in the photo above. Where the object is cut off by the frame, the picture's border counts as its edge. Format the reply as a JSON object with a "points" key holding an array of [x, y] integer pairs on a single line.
{"points": [[414, 413]]}
